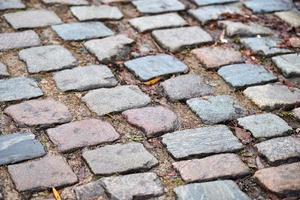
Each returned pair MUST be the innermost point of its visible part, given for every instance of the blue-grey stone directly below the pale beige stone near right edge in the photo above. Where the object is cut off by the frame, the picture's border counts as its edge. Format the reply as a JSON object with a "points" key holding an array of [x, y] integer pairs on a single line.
{"points": [[265, 125]]}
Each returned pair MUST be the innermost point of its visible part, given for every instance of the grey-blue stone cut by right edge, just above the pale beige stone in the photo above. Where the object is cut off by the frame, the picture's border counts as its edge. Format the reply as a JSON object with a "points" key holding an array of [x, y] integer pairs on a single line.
{"points": [[289, 64]]}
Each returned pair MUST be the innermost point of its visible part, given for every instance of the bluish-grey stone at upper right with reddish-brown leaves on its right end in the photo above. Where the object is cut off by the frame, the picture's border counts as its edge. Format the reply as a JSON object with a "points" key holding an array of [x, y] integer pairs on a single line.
{"points": [[267, 46]]}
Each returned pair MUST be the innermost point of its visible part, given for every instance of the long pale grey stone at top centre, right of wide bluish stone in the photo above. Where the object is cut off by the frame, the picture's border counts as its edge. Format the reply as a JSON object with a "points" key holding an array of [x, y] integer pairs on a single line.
{"points": [[147, 23]]}
